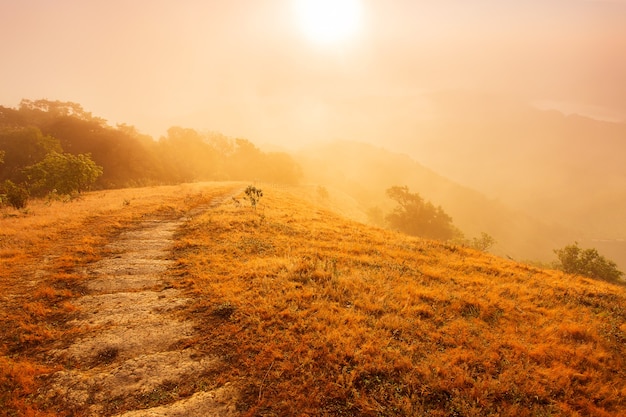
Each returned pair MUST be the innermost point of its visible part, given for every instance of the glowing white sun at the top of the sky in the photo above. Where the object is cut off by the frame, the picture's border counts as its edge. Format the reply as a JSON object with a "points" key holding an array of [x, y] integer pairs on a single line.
{"points": [[328, 21]]}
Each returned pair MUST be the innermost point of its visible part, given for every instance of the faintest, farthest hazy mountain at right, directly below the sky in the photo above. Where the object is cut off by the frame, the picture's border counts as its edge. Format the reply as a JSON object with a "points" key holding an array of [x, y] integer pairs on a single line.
{"points": [[564, 169]]}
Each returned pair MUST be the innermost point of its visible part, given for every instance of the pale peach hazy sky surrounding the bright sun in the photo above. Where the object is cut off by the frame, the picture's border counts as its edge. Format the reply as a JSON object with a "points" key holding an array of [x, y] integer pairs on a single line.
{"points": [[246, 68]]}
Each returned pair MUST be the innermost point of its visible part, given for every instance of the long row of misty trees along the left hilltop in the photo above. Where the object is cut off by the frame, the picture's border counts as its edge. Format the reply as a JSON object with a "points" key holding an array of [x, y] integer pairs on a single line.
{"points": [[54, 146]]}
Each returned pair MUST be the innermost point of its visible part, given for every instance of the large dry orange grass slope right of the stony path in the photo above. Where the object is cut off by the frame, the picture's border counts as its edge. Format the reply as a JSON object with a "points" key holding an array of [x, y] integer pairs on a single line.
{"points": [[318, 315]]}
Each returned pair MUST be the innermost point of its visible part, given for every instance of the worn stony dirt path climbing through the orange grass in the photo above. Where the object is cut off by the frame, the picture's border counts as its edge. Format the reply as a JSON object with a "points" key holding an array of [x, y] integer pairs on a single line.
{"points": [[131, 357]]}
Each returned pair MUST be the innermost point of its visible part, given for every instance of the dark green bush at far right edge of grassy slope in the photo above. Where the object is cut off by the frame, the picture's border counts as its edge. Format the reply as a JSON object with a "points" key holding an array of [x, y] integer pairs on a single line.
{"points": [[587, 262]]}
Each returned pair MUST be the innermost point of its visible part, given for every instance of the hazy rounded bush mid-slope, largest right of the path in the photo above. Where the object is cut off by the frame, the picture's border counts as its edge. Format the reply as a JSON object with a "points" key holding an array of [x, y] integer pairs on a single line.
{"points": [[417, 217]]}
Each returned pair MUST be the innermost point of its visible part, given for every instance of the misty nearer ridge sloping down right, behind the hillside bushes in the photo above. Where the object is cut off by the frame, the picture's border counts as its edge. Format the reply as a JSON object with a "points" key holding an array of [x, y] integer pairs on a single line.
{"points": [[365, 172]]}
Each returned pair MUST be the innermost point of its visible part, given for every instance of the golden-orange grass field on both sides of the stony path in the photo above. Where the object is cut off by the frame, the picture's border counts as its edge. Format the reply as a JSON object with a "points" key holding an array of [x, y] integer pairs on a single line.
{"points": [[314, 314]]}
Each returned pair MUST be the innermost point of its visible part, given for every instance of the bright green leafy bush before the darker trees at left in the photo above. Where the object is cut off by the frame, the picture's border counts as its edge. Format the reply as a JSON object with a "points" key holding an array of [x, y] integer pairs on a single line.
{"points": [[63, 173]]}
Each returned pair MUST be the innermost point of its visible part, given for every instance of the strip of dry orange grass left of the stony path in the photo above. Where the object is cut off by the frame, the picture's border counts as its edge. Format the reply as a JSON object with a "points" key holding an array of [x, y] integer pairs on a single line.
{"points": [[41, 252]]}
